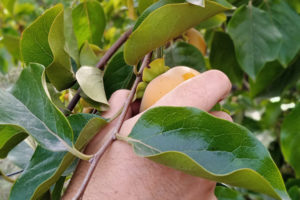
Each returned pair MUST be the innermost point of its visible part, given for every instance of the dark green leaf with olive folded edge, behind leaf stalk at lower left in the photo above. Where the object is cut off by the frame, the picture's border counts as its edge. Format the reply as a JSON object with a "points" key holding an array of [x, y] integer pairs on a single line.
{"points": [[46, 167]]}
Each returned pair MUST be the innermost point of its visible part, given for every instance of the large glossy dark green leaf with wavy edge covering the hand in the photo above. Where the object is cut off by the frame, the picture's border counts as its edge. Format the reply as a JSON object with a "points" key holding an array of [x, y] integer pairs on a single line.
{"points": [[199, 144]]}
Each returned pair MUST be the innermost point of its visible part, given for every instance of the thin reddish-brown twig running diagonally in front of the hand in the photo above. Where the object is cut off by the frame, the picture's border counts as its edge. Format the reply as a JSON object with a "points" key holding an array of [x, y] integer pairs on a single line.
{"points": [[94, 161]]}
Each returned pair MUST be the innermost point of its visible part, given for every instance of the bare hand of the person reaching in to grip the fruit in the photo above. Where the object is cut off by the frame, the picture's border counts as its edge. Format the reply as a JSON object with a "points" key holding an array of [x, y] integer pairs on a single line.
{"points": [[121, 174]]}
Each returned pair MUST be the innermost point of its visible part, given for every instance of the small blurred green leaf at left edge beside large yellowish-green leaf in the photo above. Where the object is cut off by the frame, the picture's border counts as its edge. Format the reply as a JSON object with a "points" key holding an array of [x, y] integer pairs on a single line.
{"points": [[12, 44]]}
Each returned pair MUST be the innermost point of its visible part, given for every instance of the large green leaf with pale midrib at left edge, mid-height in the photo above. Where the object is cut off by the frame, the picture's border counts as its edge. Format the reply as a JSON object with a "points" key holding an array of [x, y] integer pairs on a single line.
{"points": [[29, 108]]}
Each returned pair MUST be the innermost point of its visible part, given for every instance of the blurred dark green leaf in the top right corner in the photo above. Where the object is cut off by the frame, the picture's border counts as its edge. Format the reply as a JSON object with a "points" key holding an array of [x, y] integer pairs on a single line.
{"points": [[284, 18]]}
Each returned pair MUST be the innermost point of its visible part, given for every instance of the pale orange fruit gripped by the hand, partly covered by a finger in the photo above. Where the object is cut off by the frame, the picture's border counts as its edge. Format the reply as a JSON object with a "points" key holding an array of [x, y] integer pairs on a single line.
{"points": [[164, 83]]}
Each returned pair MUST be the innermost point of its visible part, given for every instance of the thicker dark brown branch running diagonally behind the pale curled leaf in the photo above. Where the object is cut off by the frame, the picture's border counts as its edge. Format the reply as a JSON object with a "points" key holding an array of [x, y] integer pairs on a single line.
{"points": [[103, 61]]}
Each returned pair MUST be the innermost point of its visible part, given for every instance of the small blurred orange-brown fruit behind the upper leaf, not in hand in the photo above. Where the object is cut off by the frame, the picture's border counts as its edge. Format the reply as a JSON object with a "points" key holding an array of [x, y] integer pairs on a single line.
{"points": [[195, 38]]}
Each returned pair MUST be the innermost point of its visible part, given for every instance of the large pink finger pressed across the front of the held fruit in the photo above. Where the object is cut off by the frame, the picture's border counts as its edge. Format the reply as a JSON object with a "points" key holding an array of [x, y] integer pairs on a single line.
{"points": [[202, 91]]}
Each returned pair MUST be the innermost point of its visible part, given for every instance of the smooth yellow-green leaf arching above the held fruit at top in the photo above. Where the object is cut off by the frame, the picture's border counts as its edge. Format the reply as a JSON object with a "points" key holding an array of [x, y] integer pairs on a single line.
{"points": [[171, 20]]}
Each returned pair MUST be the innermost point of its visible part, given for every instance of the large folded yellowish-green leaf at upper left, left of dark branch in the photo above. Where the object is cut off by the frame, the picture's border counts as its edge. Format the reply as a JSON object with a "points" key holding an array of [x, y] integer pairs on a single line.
{"points": [[47, 47]]}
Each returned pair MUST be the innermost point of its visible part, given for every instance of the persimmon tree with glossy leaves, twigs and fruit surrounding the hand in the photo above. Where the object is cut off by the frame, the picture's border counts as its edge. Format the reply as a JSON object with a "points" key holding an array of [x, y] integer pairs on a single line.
{"points": [[75, 55]]}
